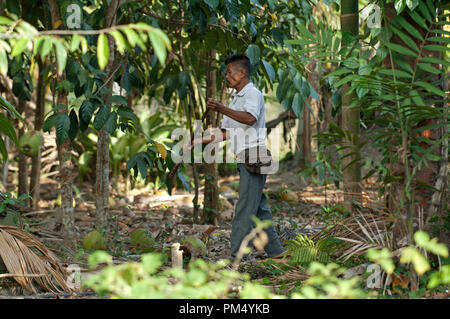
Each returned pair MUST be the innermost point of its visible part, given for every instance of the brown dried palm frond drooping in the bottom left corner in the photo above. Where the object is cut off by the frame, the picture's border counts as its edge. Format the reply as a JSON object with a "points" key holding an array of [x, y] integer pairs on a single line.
{"points": [[24, 255]]}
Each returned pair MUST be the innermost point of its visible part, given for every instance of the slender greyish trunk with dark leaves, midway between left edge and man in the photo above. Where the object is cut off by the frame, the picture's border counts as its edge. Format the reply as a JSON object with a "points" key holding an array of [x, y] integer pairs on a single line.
{"points": [[102, 165]]}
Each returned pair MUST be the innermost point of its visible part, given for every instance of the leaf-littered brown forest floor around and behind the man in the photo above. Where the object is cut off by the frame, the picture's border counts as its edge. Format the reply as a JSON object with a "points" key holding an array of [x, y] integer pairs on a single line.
{"points": [[169, 219]]}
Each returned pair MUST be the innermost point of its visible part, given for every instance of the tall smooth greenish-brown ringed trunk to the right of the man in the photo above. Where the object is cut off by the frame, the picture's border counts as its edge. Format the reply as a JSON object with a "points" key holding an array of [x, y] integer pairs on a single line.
{"points": [[350, 117]]}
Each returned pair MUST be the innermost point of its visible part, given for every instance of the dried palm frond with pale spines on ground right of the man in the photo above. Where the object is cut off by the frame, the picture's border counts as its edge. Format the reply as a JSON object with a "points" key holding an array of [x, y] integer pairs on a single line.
{"points": [[366, 229]]}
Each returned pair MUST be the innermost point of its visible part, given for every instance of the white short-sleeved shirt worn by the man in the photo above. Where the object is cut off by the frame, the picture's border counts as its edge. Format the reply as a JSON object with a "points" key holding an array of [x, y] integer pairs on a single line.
{"points": [[244, 136]]}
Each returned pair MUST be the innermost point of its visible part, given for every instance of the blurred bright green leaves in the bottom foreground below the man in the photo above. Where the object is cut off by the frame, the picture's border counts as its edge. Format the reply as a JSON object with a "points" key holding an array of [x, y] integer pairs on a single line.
{"points": [[146, 280]]}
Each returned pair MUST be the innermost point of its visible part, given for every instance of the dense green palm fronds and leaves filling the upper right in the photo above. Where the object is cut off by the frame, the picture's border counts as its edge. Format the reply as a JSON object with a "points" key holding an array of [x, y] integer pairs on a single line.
{"points": [[398, 86]]}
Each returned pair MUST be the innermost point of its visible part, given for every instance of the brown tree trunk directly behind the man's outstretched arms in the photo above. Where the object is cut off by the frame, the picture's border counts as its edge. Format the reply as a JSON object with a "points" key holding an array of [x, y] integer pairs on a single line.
{"points": [[211, 192]]}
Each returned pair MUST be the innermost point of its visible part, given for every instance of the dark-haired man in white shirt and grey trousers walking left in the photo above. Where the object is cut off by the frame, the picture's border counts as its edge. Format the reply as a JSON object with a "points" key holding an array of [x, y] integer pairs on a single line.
{"points": [[245, 114]]}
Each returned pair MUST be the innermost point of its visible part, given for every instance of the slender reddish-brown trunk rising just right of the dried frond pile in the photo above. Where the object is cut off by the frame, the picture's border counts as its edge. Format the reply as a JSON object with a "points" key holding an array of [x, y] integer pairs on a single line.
{"points": [[65, 160]]}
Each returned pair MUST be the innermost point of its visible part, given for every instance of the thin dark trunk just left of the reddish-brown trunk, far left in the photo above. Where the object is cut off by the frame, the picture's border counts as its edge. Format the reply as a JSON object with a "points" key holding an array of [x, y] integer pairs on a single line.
{"points": [[38, 121]]}
